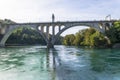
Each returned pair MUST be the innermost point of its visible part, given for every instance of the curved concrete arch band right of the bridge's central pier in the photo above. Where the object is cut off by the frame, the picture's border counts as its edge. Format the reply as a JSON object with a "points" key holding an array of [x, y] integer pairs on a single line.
{"points": [[74, 25]]}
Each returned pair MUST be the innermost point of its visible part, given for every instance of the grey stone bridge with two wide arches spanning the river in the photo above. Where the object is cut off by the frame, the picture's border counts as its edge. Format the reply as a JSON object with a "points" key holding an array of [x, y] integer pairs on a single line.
{"points": [[44, 28]]}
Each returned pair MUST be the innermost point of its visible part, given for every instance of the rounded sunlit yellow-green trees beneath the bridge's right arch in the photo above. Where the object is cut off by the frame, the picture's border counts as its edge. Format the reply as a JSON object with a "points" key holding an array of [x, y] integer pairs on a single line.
{"points": [[88, 37]]}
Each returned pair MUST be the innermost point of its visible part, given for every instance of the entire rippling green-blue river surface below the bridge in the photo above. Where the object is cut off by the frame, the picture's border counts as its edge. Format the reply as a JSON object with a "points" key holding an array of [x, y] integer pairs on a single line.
{"points": [[60, 63]]}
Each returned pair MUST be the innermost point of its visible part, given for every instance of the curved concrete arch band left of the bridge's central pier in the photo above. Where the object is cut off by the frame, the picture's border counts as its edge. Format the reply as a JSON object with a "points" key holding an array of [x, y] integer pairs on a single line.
{"points": [[14, 27]]}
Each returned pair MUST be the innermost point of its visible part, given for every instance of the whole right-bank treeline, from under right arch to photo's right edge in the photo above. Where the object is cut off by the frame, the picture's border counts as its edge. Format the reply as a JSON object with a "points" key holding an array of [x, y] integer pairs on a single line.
{"points": [[93, 38]]}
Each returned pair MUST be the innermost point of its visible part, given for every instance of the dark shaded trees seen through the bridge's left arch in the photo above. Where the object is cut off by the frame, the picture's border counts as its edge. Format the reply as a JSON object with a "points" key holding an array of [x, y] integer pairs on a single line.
{"points": [[25, 36]]}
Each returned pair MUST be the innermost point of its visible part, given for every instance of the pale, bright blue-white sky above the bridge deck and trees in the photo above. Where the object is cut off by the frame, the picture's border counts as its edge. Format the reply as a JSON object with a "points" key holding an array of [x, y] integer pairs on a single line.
{"points": [[64, 10]]}
